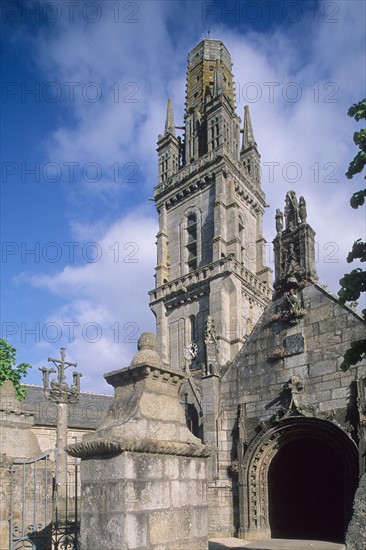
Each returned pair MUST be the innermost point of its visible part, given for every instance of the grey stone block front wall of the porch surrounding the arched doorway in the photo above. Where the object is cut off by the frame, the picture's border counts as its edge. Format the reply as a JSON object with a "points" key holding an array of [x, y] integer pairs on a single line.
{"points": [[283, 369]]}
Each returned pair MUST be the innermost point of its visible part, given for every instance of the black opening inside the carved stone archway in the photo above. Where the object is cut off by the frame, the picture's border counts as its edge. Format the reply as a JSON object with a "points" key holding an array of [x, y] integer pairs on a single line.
{"points": [[307, 492]]}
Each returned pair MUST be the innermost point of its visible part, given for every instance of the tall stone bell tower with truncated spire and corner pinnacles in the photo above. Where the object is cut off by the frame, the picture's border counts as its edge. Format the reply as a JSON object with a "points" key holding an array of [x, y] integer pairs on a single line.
{"points": [[210, 274]]}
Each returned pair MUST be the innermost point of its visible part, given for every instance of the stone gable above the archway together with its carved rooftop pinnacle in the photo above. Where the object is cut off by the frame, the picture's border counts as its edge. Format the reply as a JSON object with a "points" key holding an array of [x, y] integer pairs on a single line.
{"points": [[291, 361]]}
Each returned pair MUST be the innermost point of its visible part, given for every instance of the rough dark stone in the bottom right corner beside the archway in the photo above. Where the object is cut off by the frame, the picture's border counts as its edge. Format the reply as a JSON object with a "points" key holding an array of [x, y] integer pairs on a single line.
{"points": [[356, 532]]}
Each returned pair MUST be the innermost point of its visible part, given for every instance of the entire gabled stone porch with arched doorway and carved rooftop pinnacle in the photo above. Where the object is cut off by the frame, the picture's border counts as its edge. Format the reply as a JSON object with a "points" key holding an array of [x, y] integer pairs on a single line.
{"points": [[288, 411]]}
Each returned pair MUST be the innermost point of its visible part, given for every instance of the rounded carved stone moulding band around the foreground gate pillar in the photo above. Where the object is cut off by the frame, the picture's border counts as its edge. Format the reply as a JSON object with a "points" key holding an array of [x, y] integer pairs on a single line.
{"points": [[113, 446]]}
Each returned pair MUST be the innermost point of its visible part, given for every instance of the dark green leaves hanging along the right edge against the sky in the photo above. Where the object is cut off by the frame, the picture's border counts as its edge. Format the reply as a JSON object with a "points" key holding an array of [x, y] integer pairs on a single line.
{"points": [[354, 283]]}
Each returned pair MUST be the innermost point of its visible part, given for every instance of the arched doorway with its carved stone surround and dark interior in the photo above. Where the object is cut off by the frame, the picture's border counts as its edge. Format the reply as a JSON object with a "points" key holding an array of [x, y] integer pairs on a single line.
{"points": [[297, 480]]}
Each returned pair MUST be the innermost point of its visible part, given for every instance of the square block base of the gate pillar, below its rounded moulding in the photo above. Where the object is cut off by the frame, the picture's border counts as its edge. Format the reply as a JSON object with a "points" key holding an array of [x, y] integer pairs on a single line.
{"points": [[144, 501]]}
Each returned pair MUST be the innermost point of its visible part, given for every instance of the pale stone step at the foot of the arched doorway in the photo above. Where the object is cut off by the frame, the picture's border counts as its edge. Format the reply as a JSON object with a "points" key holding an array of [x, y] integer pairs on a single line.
{"points": [[273, 544]]}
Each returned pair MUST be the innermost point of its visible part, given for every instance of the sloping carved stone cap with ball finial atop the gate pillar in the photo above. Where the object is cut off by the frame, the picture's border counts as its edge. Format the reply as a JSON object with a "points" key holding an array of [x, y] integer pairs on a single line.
{"points": [[146, 415]]}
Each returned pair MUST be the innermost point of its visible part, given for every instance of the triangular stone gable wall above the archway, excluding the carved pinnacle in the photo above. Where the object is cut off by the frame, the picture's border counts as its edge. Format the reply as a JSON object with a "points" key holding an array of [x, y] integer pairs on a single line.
{"points": [[309, 352]]}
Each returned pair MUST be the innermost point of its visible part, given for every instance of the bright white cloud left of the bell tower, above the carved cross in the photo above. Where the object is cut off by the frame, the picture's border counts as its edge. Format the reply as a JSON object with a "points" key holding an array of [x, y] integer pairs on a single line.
{"points": [[106, 301]]}
